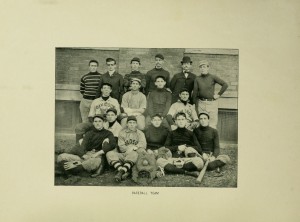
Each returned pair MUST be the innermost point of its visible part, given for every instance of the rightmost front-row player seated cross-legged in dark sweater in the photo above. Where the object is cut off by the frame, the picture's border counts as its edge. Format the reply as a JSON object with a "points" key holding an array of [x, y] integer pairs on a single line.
{"points": [[208, 139]]}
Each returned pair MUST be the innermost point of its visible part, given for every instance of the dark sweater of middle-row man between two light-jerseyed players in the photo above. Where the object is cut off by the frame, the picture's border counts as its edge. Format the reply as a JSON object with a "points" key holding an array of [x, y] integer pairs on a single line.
{"points": [[159, 102]]}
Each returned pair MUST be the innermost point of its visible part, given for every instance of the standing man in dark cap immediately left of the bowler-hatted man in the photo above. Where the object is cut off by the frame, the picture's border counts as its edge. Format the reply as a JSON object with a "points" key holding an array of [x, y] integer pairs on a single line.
{"points": [[157, 71]]}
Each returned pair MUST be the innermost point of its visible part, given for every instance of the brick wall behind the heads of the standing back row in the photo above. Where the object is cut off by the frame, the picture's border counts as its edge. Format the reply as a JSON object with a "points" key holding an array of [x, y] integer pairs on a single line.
{"points": [[71, 63]]}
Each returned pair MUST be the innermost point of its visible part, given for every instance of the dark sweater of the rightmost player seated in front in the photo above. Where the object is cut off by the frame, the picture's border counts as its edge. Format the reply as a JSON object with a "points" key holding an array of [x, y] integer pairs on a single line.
{"points": [[208, 139]]}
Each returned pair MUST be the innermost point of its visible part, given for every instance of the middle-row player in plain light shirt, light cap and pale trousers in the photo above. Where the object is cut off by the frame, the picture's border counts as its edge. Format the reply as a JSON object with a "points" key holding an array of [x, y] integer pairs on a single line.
{"points": [[134, 104]]}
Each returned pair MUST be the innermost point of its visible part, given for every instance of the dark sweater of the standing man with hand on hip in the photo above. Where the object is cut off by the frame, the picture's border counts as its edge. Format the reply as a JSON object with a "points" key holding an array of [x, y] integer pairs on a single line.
{"points": [[204, 86]]}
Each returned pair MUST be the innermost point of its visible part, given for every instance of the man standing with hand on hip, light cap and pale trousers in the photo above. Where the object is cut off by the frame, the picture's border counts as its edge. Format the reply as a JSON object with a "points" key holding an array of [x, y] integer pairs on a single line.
{"points": [[204, 93]]}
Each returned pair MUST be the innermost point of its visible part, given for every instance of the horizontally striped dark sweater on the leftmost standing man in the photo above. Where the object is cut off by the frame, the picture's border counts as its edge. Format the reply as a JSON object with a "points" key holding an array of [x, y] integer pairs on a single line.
{"points": [[89, 85]]}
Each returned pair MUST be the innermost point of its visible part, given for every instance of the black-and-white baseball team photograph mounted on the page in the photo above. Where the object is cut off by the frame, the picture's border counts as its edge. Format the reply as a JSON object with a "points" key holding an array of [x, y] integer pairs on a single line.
{"points": [[161, 117]]}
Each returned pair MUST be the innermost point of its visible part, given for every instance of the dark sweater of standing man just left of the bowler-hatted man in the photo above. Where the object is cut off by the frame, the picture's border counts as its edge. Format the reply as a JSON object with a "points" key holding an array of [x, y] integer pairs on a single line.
{"points": [[152, 74]]}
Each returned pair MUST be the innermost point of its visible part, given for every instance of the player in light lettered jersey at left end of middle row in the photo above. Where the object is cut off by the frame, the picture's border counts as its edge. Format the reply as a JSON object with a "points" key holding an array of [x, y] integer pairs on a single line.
{"points": [[98, 106]]}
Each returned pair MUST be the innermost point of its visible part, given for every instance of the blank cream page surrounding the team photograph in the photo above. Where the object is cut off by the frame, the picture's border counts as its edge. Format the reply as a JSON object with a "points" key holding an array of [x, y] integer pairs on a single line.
{"points": [[267, 36]]}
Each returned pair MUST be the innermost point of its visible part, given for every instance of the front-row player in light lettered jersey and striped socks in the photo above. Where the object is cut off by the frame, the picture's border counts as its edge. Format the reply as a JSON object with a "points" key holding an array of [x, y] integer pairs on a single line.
{"points": [[131, 141]]}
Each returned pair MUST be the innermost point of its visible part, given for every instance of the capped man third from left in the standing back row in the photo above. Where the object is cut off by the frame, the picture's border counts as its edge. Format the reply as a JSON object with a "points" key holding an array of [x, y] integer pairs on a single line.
{"points": [[135, 73]]}
